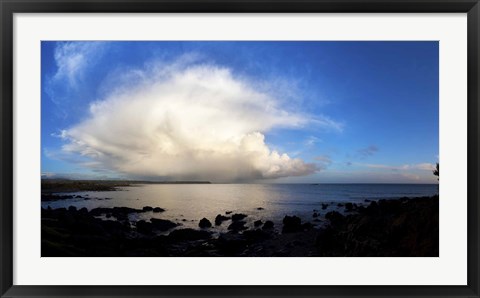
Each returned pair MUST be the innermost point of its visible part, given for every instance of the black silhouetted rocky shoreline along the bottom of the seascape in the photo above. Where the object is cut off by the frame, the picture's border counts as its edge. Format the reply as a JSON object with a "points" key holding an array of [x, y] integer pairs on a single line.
{"points": [[398, 227]]}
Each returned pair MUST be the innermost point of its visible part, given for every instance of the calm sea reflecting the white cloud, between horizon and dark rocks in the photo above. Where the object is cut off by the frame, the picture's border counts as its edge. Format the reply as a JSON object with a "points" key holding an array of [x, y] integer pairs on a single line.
{"points": [[187, 204]]}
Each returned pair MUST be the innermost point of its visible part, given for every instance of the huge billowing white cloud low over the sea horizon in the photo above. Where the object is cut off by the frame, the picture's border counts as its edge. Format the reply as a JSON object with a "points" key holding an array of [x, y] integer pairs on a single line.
{"points": [[196, 123]]}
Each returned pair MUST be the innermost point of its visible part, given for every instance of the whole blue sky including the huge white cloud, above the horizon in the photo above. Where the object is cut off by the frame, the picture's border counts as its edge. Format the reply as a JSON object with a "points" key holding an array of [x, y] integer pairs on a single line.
{"points": [[315, 112]]}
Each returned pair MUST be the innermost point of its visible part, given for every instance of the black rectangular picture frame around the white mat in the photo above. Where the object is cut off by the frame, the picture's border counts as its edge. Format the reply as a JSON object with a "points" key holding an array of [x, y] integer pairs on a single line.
{"points": [[9, 7]]}
